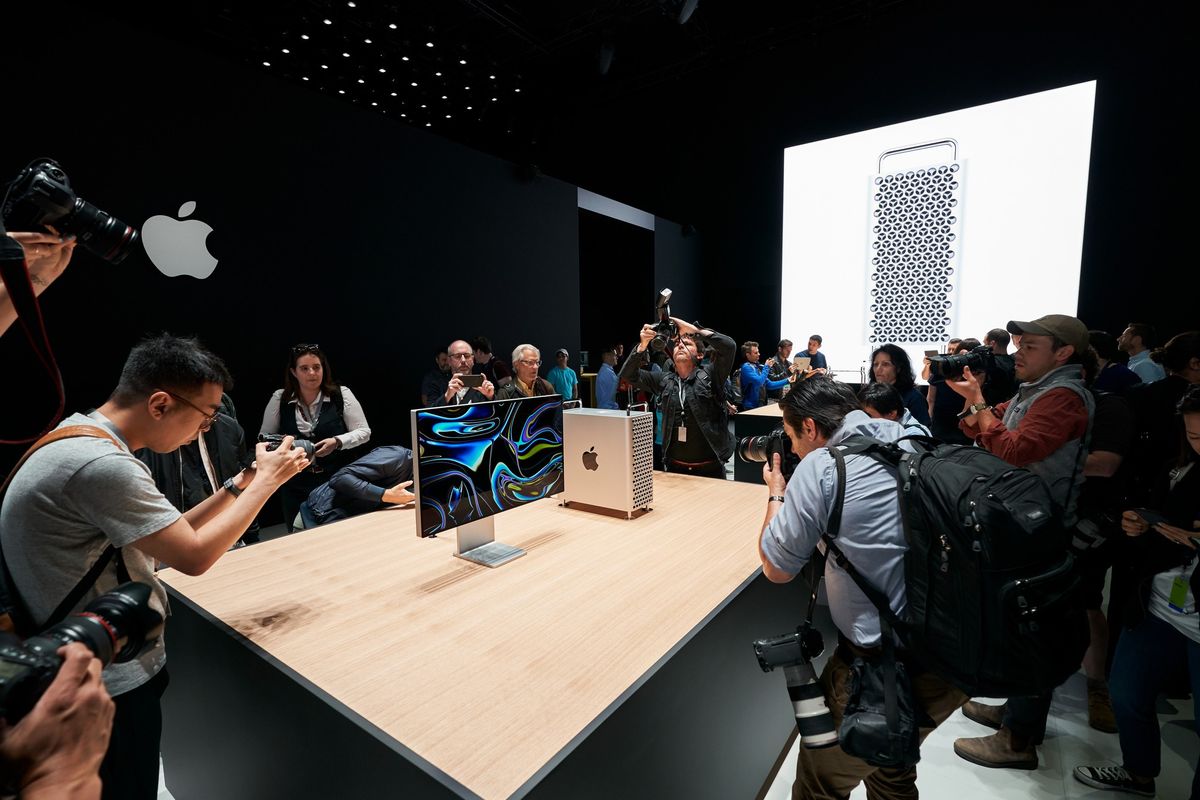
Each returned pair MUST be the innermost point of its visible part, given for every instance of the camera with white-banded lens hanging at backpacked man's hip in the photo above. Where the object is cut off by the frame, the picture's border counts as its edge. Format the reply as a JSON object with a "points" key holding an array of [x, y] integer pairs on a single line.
{"points": [[795, 653]]}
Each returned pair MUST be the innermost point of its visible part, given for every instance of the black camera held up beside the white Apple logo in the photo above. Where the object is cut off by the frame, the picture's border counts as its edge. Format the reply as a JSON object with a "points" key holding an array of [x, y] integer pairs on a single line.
{"points": [[43, 196]]}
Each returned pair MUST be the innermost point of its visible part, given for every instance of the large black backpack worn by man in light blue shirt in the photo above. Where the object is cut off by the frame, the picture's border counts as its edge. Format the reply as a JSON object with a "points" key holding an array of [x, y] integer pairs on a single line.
{"points": [[994, 601]]}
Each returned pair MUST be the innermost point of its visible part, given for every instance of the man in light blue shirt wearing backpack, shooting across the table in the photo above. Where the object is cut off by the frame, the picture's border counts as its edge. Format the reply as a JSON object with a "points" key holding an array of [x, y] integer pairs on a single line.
{"points": [[819, 413]]}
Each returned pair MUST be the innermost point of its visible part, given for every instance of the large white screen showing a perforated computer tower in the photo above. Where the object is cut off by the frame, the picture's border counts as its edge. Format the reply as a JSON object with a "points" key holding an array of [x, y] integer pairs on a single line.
{"points": [[1019, 221]]}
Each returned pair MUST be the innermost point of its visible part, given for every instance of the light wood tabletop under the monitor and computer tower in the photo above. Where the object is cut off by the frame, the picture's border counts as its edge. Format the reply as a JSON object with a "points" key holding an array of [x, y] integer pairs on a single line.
{"points": [[489, 673]]}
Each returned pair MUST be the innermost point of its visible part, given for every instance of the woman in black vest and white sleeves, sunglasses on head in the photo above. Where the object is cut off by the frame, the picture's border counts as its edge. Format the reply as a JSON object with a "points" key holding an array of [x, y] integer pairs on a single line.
{"points": [[313, 407]]}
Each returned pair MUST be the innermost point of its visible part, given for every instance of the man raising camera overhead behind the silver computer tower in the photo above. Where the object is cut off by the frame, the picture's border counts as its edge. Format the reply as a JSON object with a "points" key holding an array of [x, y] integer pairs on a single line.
{"points": [[697, 438]]}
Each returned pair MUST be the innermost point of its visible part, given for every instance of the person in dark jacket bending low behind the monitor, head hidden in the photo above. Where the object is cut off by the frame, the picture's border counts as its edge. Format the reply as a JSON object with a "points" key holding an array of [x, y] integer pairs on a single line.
{"points": [[380, 479]]}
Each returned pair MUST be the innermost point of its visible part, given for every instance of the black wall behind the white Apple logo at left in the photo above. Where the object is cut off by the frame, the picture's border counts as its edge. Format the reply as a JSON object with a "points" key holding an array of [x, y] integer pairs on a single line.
{"points": [[333, 226]]}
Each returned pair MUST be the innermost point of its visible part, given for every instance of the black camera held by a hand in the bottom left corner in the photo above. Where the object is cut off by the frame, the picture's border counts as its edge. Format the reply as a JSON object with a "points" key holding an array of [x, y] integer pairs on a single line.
{"points": [[117, 628]]}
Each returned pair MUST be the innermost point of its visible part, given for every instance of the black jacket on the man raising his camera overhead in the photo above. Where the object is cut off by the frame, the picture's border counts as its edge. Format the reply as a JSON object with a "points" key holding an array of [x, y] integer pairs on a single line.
{"points": [[704, 393]]}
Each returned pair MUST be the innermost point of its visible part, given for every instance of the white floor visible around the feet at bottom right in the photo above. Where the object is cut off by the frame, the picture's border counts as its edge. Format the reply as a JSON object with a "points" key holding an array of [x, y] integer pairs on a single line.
{"points": [[1070, 742]]}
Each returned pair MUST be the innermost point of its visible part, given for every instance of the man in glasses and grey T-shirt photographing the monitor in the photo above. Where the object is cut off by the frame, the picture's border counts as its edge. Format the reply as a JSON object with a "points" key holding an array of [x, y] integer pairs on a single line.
{"points": [[75, 498]]}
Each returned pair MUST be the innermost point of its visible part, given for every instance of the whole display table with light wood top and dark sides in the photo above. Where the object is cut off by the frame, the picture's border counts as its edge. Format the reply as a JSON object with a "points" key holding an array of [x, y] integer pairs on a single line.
{"points": [[358, 660]]}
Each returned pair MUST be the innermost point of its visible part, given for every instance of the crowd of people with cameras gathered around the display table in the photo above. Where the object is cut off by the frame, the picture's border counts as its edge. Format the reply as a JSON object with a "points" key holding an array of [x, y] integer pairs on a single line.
{"points": [[1111, 423]]}
